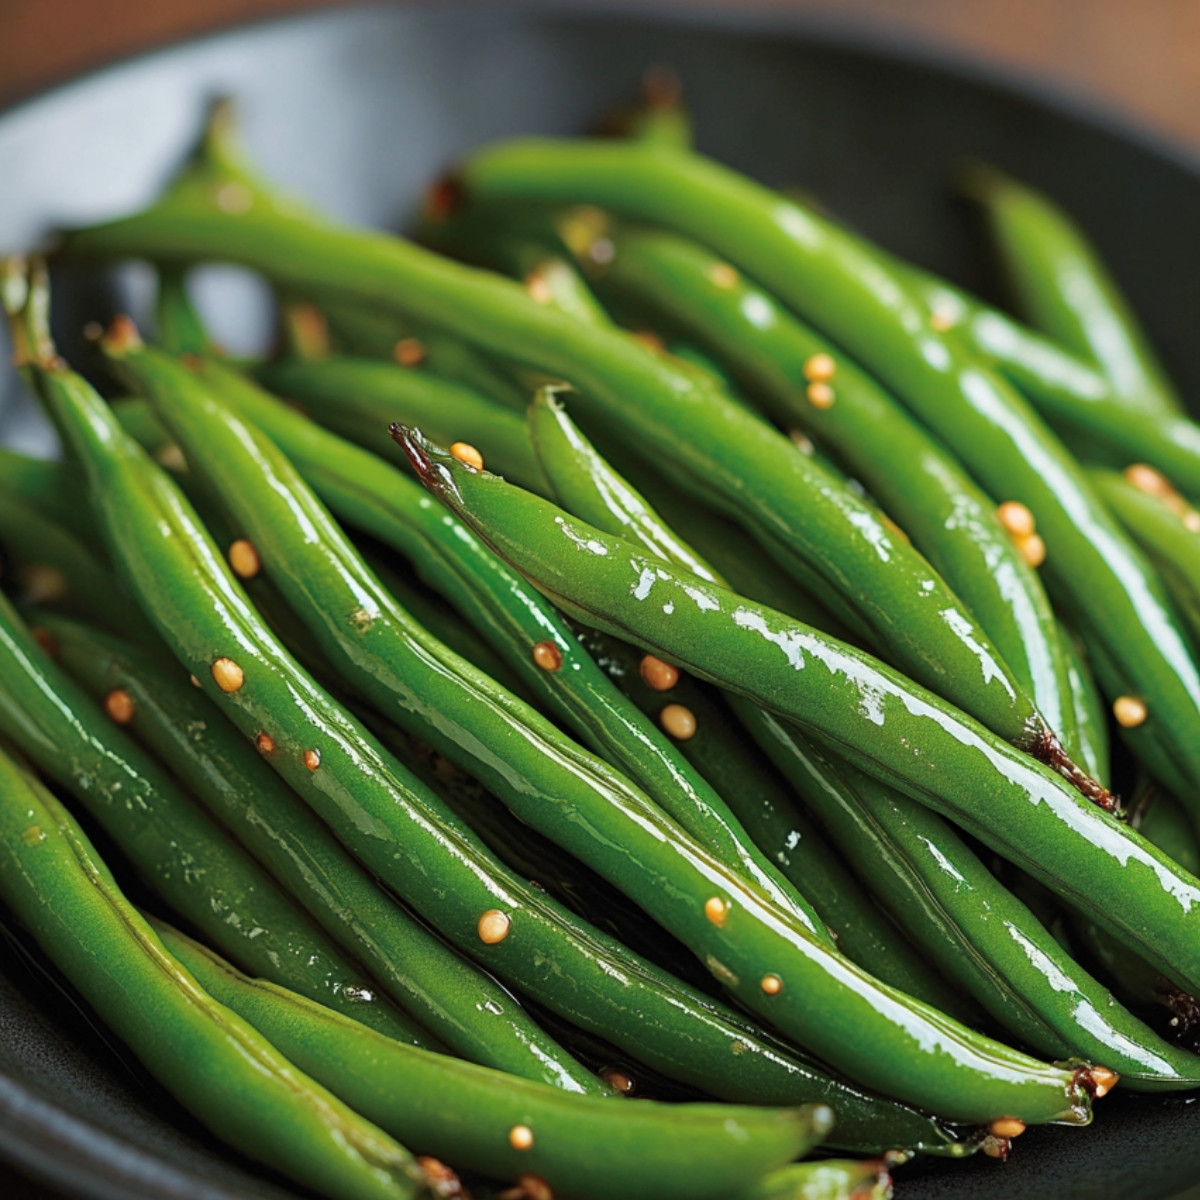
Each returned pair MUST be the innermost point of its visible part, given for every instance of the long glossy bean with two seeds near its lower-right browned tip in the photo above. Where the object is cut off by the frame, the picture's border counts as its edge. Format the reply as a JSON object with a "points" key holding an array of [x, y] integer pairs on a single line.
{"points": [[745, 939]]}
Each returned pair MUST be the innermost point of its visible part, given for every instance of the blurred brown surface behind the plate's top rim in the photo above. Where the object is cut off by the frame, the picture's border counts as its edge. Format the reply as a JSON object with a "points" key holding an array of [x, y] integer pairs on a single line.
{"points": [[1139, 56]]}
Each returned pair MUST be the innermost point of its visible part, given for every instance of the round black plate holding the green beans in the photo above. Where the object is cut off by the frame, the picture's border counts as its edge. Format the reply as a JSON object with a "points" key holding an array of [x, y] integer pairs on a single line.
{"points": [[357, 110]]}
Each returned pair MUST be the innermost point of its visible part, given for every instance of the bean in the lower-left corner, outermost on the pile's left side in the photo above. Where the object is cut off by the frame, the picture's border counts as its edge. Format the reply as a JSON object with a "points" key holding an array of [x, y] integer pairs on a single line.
{"points": [[209, 1059]]}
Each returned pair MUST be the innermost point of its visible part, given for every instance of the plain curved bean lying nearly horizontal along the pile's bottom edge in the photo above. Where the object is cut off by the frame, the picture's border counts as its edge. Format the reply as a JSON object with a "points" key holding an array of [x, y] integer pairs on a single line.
{"points": [[471, 1118]]}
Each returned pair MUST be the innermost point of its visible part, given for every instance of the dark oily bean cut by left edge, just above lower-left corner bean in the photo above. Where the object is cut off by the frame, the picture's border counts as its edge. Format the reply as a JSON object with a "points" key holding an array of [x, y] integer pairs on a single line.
{"points": [[189, 860]]}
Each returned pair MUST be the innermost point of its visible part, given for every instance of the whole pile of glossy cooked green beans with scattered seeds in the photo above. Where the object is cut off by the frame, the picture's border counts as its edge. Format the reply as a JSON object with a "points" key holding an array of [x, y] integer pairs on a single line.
{"points": [[683, 743]]}
